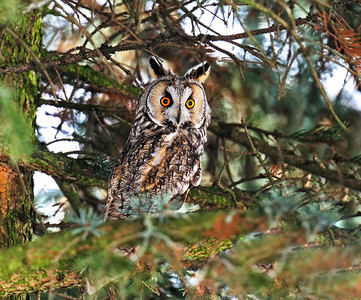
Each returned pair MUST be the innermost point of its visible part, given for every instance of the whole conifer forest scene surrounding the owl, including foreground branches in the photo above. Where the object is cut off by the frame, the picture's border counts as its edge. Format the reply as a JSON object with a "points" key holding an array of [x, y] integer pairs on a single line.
{"points": [[277, 214]]}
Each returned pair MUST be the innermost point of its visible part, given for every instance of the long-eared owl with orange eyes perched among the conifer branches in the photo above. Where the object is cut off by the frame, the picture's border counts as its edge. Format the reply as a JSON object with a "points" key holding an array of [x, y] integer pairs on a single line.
{"points": [[162, 157]]}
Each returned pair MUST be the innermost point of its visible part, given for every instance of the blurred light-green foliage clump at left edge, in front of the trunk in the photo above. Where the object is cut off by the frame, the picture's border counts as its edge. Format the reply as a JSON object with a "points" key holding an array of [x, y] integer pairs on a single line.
{"points": [[16, 134]]}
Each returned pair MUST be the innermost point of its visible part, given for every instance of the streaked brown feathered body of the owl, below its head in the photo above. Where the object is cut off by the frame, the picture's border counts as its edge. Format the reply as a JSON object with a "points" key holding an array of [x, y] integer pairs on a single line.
{"points": [[156, 171]]}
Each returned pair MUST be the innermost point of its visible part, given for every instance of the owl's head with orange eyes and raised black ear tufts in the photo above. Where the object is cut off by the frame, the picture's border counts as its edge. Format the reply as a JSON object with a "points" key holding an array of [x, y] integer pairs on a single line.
{"points": [[179, 100]]}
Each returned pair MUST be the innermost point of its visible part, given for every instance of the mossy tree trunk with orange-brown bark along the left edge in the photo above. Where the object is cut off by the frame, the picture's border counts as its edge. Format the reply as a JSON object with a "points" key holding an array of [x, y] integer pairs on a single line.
{"points": [[20, 43]]}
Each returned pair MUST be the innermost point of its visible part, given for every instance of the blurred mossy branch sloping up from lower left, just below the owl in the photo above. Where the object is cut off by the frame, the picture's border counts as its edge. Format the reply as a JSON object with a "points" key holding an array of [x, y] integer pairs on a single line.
{"points": [[51, 253]]}
